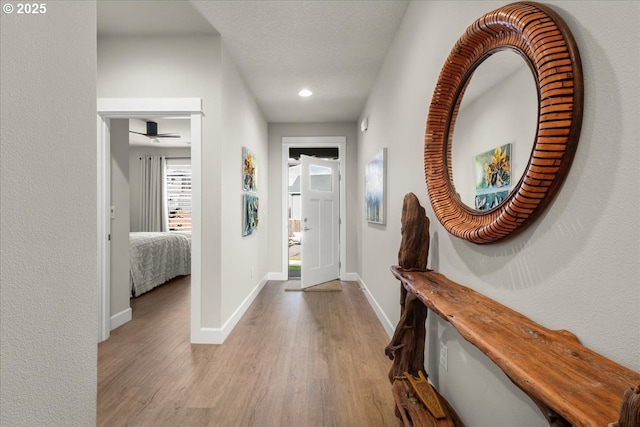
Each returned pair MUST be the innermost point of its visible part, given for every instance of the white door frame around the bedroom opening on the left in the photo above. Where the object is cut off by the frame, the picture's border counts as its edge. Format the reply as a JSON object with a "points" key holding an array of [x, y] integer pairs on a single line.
{"points": [[126, 108]]}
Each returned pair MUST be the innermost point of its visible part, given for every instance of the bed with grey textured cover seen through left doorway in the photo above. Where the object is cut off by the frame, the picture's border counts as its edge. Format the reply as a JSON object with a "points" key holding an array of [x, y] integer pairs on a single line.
{"points": [[156, 258]]}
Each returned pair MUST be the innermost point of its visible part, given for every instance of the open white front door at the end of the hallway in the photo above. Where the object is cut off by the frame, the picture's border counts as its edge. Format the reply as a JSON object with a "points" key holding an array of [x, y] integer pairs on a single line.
{"points": [[320, 225]]}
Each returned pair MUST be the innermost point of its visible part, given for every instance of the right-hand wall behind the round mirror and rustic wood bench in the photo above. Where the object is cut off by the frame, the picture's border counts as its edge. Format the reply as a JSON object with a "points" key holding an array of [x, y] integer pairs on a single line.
{"points": [[577, 266]]}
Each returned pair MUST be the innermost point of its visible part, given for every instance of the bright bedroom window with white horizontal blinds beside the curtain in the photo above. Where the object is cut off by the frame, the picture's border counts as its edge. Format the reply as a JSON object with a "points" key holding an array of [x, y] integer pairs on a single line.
{"points": [[178, 190]]}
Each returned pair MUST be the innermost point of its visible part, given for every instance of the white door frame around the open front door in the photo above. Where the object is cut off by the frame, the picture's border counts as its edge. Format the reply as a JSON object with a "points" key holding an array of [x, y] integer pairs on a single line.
{"points": [[309, 142]]}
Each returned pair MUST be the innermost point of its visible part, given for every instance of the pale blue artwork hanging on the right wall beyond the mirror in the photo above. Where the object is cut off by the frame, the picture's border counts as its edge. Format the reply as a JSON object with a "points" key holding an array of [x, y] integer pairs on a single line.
{"points": [[374, 188]]}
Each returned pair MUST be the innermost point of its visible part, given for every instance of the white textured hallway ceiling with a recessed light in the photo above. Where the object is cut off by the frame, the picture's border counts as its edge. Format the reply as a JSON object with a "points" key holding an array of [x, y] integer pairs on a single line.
{"points": [[335, 48]]}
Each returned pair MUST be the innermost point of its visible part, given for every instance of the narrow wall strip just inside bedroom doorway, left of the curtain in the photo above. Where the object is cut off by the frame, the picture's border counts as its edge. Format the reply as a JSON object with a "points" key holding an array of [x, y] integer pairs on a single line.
{"points": [[120, 285]]}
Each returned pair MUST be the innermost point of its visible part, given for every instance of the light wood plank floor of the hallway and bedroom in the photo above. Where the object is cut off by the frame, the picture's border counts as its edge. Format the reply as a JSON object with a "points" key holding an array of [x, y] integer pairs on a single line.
{"points": [[294, 359]]}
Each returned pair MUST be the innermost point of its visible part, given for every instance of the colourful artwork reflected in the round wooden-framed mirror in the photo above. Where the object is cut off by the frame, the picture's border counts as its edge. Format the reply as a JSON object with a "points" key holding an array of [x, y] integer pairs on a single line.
{"points": [[493, 177]]}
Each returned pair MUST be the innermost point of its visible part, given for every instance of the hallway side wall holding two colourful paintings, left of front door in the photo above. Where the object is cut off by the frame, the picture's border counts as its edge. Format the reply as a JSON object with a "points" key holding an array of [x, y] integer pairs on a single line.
{"points": [[243, 262]]}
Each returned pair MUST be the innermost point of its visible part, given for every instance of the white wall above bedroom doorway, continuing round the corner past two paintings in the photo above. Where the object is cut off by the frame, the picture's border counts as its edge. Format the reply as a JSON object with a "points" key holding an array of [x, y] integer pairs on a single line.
{"points": [[198, 66]]}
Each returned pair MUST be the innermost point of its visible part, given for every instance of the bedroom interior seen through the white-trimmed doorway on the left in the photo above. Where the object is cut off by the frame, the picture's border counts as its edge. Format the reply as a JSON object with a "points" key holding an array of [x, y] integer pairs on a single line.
{"points": [[150, 214]]}
